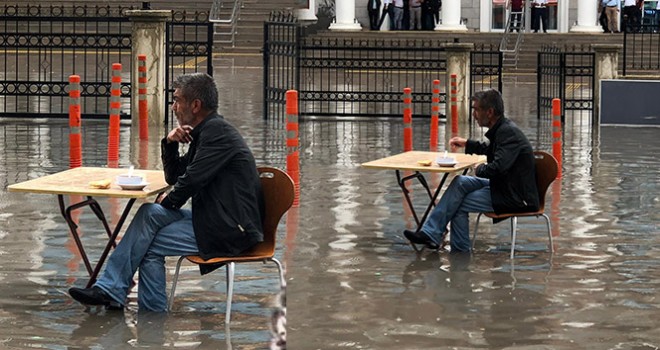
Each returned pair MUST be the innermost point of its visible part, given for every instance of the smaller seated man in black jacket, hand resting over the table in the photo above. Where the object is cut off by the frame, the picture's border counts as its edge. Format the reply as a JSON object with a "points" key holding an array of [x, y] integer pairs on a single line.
{"points": [[505, 184]]}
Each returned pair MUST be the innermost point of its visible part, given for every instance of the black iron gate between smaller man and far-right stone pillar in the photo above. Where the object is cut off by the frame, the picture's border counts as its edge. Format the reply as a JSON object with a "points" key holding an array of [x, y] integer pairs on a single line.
{"points": [[567, 74]]}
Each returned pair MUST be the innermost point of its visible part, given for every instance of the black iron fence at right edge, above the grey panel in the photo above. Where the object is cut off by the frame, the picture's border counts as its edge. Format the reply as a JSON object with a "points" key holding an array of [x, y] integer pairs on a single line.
{"points": [[641, 49]]}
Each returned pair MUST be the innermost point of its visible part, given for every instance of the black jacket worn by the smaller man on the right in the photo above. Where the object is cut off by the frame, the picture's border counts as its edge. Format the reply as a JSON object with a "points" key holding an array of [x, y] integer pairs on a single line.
{"points": [[510, 167]]}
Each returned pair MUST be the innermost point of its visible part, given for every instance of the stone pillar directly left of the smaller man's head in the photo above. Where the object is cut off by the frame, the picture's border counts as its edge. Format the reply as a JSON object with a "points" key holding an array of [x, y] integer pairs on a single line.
{"points": [[458, 62]]}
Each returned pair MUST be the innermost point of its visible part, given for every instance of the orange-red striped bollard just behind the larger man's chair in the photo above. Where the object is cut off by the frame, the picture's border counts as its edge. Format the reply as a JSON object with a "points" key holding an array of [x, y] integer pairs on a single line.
{"points": [[292, 158]]}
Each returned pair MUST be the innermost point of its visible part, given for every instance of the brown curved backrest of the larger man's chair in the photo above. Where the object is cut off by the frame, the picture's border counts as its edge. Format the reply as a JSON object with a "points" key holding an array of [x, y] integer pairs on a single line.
{"points": [[278, 191]]}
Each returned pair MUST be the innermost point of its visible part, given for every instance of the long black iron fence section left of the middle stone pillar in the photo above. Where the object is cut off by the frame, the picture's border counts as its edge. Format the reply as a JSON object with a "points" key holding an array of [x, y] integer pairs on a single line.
{"points": [[366, 77]]}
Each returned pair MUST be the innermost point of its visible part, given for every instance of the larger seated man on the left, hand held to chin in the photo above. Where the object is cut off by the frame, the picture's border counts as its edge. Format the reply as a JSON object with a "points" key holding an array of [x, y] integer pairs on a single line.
{"points": [[218, 172]]}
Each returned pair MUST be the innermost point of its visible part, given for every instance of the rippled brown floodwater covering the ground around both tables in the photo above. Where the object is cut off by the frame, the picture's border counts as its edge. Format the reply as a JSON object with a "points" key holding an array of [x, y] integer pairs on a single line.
{"points": [[352, 280]]}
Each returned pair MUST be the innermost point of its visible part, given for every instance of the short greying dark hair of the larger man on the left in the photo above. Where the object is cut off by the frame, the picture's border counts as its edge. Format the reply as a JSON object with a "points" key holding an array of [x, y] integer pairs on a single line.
{"points": [[199, 86]]}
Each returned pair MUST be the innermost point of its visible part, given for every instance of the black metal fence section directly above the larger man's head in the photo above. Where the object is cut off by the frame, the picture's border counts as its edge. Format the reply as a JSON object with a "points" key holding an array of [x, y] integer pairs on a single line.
{"points": [[189, 38]]}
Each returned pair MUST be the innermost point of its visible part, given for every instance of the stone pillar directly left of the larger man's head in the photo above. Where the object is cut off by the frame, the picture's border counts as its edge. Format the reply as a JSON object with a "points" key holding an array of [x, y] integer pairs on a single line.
{"points": [[148, 37]]}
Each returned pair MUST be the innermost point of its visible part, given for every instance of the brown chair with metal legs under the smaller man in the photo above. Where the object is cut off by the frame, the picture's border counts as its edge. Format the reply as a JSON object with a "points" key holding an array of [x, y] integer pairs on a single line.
{"points": [[546, 172]]}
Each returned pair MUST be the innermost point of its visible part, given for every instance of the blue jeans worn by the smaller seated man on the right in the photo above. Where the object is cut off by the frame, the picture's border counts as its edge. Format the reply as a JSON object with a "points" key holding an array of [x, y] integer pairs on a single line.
{"points": [[465, 194]]}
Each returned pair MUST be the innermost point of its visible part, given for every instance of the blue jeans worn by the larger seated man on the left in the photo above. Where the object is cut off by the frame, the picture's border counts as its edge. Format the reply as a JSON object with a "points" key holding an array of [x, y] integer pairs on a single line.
{"points": [[154, 233]]}
